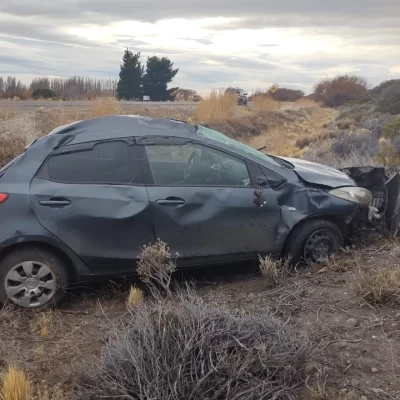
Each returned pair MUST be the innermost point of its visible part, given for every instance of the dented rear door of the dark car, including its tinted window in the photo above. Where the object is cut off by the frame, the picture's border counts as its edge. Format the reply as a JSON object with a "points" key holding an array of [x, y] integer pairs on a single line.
{"points": [[90, 196]]}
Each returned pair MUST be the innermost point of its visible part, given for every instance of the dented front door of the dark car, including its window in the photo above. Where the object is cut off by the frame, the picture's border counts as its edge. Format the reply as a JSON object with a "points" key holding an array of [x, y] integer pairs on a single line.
{"points": [[208, 211]]}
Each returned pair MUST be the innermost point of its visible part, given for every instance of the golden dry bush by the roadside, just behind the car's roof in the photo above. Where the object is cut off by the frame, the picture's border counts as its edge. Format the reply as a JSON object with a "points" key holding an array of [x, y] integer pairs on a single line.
{"points": [[217, 107]]}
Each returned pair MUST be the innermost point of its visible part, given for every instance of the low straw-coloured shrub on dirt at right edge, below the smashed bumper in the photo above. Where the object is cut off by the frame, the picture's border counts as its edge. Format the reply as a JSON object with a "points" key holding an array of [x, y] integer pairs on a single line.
{"points": [[377, 287]]}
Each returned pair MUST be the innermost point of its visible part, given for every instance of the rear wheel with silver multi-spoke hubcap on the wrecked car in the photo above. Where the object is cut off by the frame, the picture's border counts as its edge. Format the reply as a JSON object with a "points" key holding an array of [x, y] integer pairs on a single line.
{"points": [[33, 278]]}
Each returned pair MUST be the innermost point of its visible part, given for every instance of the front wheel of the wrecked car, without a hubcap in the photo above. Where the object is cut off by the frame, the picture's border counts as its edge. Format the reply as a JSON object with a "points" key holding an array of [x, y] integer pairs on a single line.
{"points": [[312, 241]]}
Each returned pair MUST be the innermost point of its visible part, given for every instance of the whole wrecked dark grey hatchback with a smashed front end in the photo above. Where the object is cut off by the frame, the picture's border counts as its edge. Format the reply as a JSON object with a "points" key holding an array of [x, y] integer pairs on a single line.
{"points": [[83, 200]]}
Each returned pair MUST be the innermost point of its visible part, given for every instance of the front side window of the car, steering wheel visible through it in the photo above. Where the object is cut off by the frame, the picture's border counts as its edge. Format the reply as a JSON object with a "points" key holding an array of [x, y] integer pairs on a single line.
{"points": [[195, 164]]}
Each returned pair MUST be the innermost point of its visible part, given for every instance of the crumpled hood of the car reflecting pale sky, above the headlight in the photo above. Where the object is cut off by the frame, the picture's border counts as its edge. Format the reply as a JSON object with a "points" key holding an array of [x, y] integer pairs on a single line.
{"points": [[320, 174]]}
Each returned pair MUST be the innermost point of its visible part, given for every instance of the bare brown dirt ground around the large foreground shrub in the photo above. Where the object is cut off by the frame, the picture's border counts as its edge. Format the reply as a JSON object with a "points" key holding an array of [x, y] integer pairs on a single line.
{"points": [[357, 346]]}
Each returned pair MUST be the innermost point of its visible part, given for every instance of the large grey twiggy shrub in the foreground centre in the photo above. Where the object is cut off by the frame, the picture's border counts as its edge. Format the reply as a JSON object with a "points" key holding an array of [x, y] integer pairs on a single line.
{"points": [[184, 348]]}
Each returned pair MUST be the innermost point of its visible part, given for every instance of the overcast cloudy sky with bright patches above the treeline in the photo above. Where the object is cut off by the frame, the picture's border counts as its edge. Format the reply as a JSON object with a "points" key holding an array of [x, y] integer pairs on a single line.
{"points": [[214, 43]]}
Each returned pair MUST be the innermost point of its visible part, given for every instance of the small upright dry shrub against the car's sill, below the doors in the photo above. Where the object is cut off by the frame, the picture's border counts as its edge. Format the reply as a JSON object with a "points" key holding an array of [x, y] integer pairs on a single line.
{"points": [[156, 267]]}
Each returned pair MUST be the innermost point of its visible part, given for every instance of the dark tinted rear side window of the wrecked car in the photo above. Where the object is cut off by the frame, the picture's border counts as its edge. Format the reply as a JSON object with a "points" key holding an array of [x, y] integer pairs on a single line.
{"points": [[107, 162]]}
